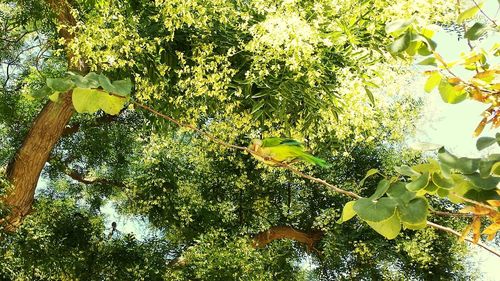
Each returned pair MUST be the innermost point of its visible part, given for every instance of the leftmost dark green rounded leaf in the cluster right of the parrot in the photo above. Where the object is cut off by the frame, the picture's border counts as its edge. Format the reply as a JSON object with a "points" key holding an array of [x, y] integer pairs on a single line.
{"points": [[375, 211]]}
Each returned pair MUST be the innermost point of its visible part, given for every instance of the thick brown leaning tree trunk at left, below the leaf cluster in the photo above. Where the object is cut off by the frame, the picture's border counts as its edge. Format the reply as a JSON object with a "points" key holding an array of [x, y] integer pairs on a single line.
{"points": [[24, 170]]}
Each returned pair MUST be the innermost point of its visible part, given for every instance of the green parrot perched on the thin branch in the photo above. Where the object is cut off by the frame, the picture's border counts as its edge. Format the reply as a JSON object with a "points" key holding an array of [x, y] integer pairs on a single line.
{"points": [[282, 150]]}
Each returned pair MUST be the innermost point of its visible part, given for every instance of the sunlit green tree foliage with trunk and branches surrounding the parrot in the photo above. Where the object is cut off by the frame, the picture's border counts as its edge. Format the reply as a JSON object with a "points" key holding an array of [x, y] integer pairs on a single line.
{"points": [[149, 106]]}
